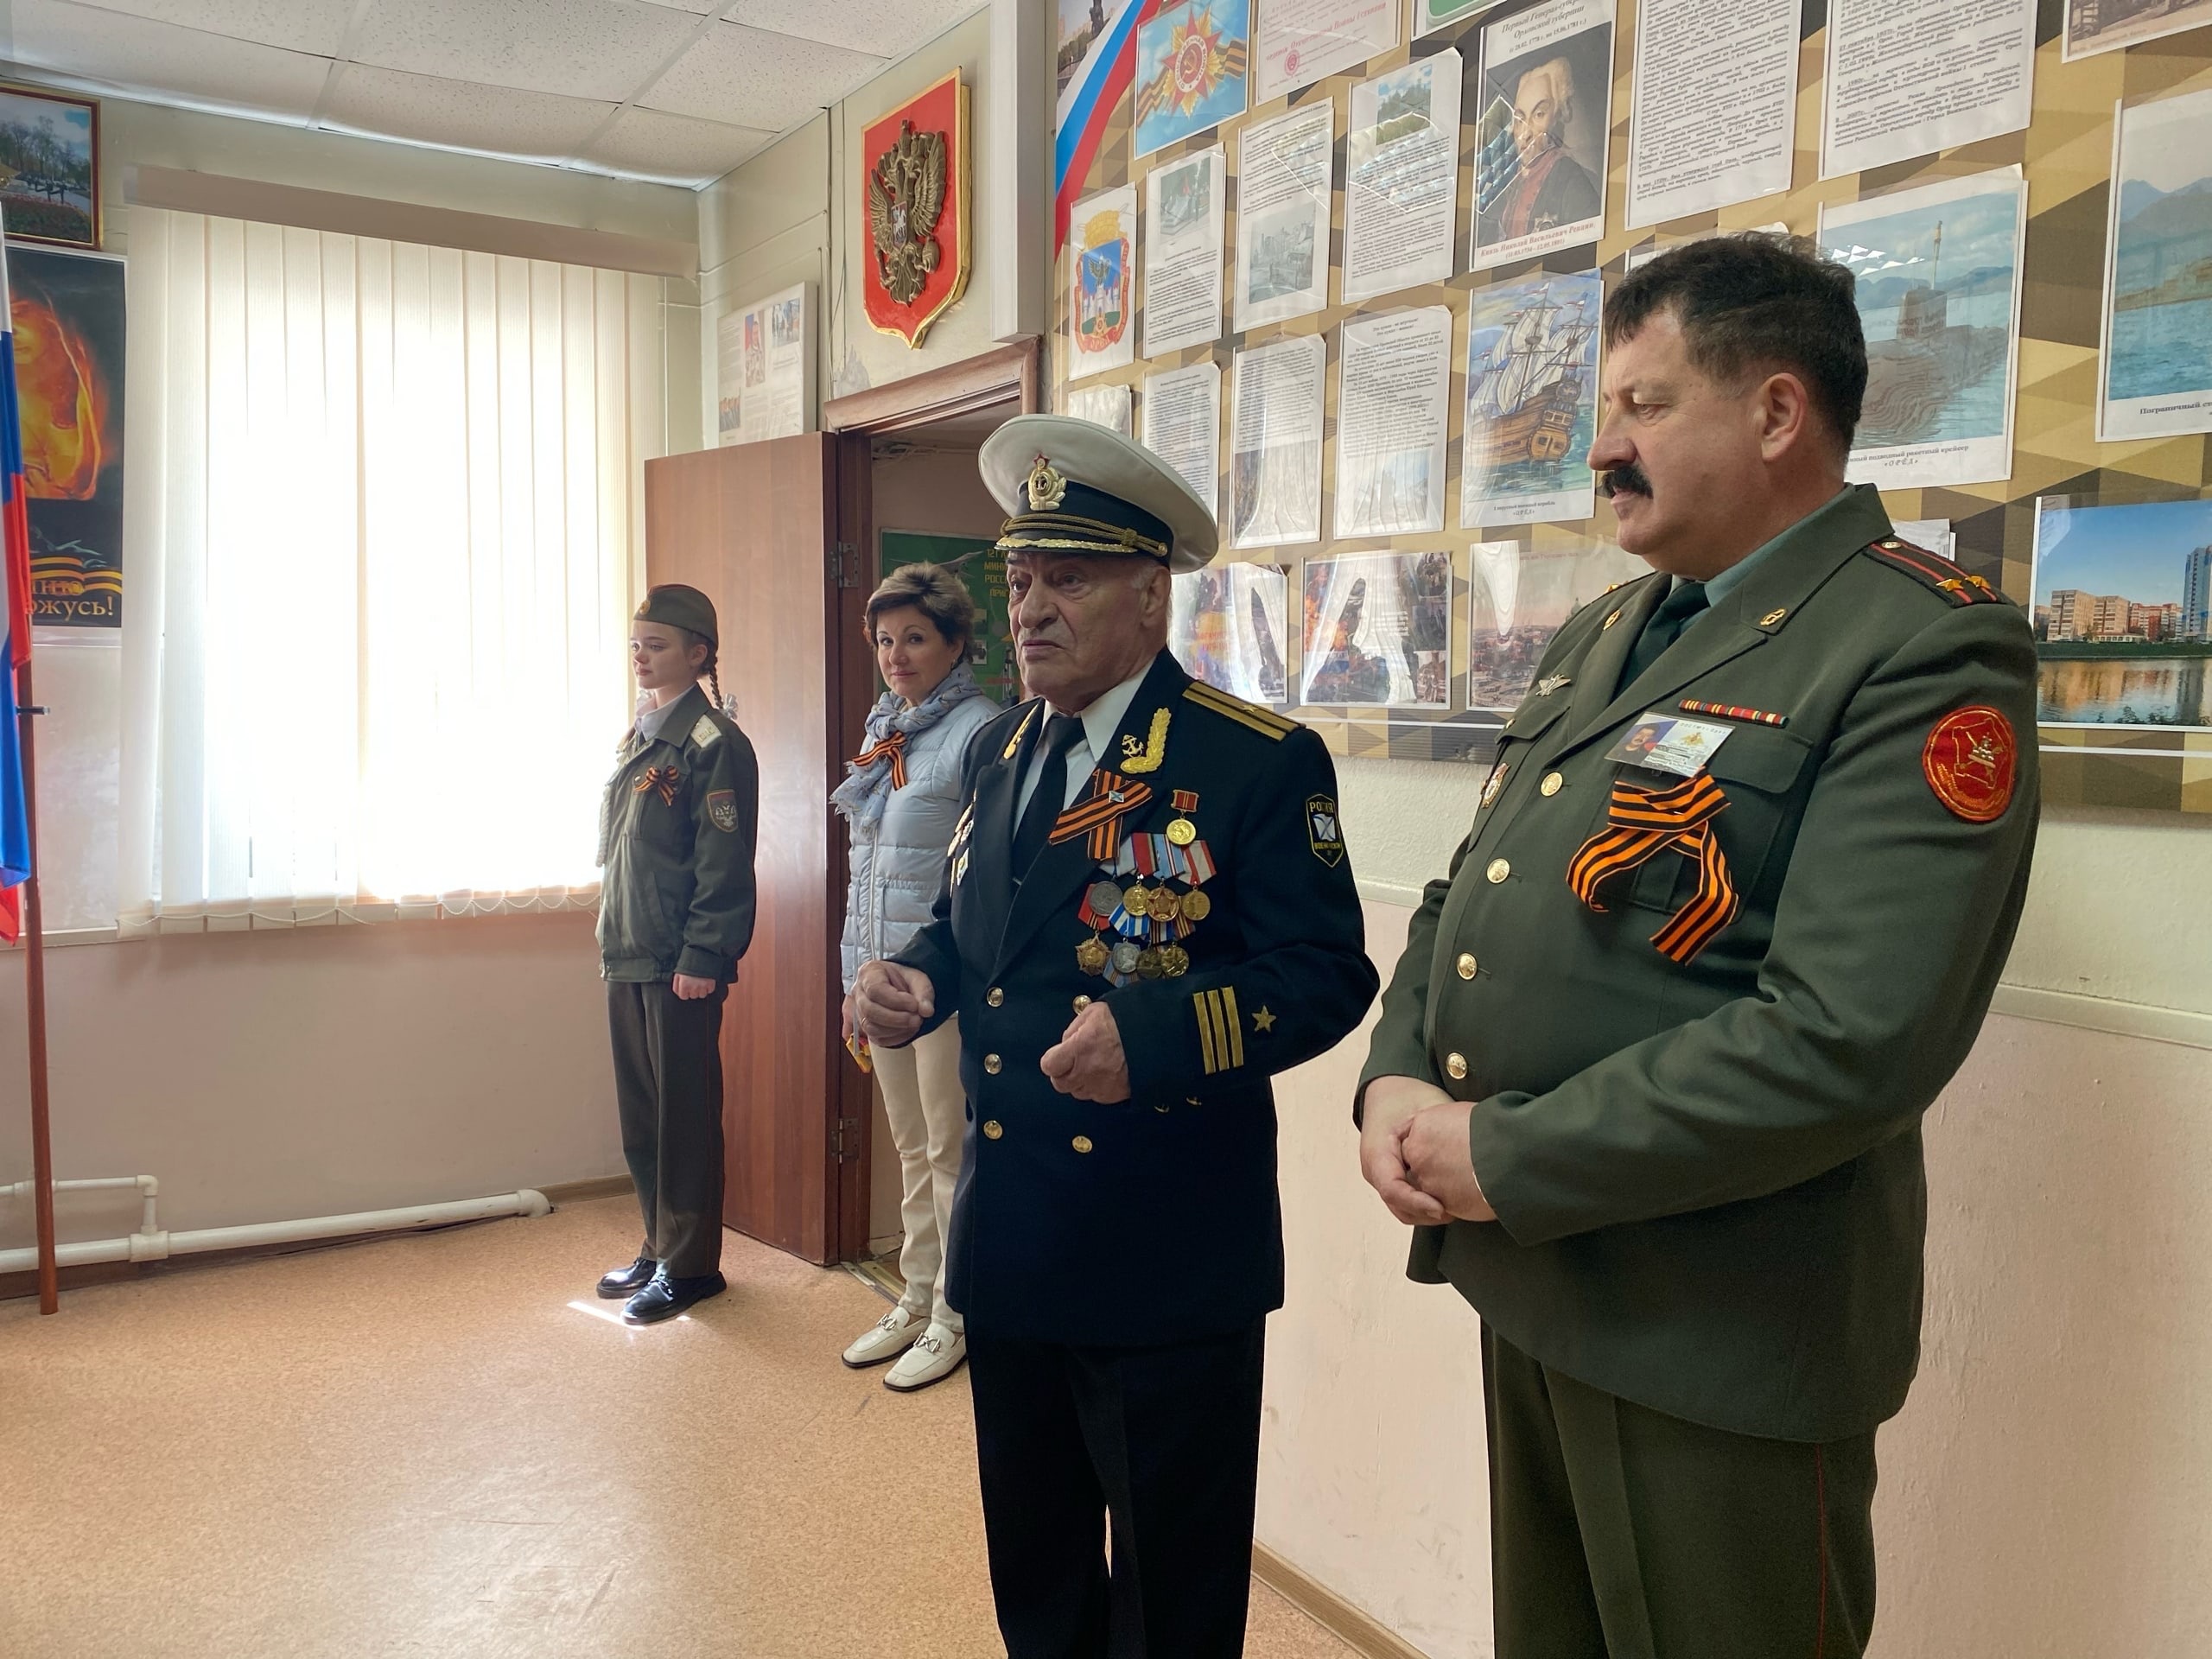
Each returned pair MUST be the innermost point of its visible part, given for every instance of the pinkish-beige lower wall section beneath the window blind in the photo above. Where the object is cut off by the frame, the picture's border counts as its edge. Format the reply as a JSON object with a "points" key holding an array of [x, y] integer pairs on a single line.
{"points": [[320, 1070]]}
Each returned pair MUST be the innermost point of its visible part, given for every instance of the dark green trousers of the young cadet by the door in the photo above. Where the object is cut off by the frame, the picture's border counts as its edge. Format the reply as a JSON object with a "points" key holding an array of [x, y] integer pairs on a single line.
{"points": [[669, 1098]]}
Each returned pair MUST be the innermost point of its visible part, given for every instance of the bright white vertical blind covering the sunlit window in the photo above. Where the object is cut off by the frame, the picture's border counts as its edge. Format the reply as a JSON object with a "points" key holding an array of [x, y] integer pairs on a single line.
{"points": [[386, 514]]}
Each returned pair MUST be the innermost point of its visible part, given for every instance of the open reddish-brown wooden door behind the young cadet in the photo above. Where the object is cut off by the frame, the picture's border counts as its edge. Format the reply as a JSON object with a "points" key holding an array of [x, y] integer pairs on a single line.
{"points": [[753, 528]]}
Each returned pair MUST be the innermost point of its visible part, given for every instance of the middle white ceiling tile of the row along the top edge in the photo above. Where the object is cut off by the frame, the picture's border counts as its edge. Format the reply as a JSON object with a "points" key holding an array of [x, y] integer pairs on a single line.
{"points": [[572, 48]]}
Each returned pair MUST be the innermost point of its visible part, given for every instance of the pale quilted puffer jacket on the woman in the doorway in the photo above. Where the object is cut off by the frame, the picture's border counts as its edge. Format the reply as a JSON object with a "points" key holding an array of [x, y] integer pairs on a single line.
{"points": [[899, 862]]}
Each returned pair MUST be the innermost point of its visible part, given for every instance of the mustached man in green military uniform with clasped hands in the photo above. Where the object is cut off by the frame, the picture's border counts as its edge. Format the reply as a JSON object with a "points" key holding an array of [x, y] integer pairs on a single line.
{"points": [[1651, 1070]]}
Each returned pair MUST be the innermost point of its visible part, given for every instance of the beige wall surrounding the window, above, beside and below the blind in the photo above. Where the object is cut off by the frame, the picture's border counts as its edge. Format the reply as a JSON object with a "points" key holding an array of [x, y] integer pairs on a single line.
{"points": [[309, 1072]]}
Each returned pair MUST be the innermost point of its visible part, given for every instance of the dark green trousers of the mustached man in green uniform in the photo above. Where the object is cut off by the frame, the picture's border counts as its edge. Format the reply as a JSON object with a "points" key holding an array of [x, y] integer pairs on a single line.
{"points": [[1627, 1534]]}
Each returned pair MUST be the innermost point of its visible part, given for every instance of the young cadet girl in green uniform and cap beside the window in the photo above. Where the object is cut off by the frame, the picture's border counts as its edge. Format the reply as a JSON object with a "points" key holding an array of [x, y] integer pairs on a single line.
{"points": [[676, 917]]}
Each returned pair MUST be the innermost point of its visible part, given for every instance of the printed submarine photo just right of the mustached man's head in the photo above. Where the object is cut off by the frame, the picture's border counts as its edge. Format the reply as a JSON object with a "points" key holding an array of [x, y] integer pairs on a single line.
{"points": [[1939, 282]]}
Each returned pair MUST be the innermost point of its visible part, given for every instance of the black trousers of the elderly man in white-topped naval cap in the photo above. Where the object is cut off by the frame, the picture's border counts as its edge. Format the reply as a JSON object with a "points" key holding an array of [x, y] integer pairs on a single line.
{"points": [[1162, 1439]]}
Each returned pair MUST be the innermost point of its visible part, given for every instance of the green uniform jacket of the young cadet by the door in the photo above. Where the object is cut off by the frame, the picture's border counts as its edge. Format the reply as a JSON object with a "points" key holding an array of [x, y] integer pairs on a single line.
{"points": [[676, 839]]}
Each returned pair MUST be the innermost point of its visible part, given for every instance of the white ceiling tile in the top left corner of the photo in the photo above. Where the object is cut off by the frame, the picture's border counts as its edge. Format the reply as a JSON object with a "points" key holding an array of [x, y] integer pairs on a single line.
{"points": [[185, 65]]}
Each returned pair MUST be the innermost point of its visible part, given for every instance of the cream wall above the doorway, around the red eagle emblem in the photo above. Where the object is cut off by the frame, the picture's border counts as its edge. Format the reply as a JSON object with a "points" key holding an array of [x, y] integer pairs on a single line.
{"points": [[797, 213]]}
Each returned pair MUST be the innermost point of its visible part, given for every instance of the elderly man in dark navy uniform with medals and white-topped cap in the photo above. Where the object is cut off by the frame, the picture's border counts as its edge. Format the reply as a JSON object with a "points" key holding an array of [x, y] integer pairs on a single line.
{"points": [[1147, 915]]}
